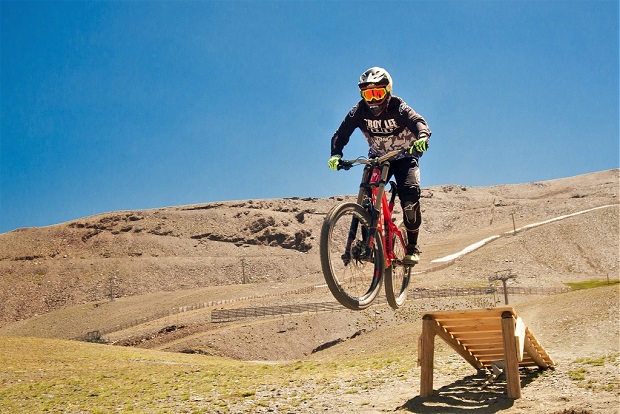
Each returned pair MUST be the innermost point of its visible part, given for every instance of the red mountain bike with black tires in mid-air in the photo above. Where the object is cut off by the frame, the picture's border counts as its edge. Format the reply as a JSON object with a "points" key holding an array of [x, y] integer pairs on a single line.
{"points": [[361, 245]]}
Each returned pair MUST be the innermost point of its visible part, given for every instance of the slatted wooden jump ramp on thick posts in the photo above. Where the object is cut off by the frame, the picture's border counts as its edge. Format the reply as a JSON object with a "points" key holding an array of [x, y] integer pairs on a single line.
{"points": [[485, 338]]}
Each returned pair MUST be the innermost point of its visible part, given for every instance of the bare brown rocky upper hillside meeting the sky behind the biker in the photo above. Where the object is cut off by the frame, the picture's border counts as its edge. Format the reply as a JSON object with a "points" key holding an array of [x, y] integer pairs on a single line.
{"points": [[121, 254]]}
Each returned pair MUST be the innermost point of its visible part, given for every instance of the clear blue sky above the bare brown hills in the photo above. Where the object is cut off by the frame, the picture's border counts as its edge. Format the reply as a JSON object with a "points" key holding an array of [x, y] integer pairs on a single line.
{"points": [[124, 105]]}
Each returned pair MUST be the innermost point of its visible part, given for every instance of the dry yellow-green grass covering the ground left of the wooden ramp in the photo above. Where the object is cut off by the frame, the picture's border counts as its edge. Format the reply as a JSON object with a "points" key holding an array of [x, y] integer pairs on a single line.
{"points": [[45, 375]]}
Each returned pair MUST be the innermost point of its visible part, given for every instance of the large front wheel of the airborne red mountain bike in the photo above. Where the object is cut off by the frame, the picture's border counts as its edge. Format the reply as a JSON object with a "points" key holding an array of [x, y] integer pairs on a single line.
{"points": [[354, 280]]}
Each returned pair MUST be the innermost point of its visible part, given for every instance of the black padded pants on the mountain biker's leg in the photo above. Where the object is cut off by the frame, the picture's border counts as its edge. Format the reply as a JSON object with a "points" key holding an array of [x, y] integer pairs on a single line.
{"points": [[406, 172]]}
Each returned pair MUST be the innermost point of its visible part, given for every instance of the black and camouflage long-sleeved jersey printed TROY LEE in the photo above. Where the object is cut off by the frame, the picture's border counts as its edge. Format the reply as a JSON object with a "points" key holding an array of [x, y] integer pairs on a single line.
{"points": [[397, 127]]}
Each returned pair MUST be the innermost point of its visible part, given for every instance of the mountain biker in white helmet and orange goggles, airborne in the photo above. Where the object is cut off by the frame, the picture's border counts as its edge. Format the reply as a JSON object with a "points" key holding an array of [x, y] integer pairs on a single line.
{"points": [[388, 124]]}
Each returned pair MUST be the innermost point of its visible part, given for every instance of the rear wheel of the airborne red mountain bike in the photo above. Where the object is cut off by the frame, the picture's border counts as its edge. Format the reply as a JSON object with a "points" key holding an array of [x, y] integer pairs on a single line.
{"points": [[397, 276]]}
